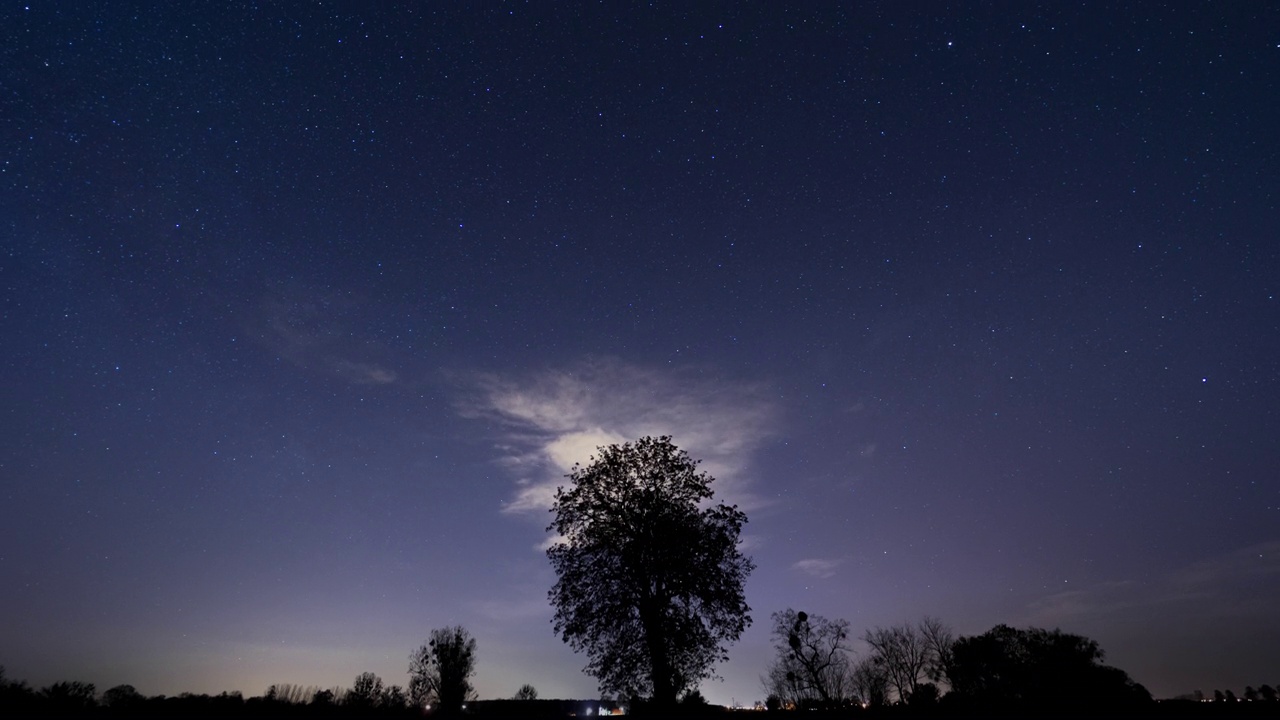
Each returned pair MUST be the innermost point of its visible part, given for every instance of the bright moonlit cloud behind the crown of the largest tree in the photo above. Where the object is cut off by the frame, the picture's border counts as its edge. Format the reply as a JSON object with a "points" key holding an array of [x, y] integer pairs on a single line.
{"points": [[551, 421]]}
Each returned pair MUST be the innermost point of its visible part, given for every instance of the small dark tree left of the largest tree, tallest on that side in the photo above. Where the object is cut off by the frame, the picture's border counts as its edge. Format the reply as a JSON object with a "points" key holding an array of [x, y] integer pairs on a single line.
{"points": [[441, 671]]}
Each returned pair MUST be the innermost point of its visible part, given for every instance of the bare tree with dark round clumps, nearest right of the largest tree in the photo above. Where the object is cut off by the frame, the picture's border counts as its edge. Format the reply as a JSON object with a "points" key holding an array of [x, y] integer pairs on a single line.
{"points": [[813, 659]]}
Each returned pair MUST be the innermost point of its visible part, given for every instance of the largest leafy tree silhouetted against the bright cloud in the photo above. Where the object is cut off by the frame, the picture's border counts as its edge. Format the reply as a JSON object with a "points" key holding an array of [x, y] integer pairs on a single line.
{"points": [[650, 573]]}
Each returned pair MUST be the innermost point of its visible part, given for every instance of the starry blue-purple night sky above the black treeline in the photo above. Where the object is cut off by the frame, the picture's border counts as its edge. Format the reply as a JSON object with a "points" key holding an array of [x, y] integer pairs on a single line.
{"points": [[305, 311]]}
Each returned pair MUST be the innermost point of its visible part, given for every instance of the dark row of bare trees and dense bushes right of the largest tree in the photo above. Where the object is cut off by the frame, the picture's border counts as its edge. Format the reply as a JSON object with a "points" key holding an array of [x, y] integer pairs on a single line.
{"points": [[925, 664]]}
